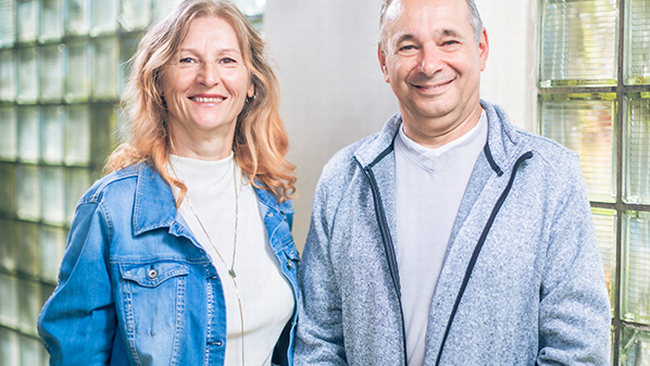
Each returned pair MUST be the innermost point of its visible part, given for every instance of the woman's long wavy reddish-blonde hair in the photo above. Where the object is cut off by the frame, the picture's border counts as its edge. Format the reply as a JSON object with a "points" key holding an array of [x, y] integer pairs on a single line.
{"points": [[260, 142]]}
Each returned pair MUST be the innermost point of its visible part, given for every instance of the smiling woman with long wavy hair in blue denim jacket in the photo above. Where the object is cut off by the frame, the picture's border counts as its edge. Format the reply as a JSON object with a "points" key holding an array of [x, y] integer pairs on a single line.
{"points": [[183, 254]]}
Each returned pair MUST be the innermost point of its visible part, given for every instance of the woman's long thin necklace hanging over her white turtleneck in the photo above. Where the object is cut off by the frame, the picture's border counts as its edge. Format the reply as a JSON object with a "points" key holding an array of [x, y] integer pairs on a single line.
{"points": [[231, 269]]}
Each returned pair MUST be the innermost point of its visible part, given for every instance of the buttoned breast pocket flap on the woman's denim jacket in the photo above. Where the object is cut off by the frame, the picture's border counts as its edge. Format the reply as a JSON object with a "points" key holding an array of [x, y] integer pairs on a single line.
{"points": [[153, 274]]}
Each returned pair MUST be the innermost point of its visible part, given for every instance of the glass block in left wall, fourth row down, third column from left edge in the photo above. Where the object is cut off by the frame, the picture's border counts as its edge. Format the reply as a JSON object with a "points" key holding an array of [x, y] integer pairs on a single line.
{"points": [[52, 195]]}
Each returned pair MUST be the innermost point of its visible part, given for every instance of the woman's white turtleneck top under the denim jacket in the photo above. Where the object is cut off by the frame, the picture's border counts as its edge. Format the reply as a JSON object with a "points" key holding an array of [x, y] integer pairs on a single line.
{"points": [[266, 295]]}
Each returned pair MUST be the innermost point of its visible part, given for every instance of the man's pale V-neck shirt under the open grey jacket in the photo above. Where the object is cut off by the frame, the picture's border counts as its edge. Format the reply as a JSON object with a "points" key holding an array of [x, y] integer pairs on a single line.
{"points": [[430, 184]]}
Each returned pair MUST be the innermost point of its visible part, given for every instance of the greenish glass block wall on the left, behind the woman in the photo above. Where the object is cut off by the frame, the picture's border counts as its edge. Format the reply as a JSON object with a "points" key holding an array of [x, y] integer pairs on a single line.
{"points": [[62, 68]]}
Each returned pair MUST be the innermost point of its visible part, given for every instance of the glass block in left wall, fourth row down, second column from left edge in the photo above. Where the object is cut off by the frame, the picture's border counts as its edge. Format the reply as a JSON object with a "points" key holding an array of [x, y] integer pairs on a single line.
{"points": [[28, 192]]}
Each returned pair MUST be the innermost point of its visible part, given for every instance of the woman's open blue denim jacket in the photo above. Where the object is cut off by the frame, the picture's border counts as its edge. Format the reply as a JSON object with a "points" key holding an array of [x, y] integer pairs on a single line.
{"points": [[136, 288]]}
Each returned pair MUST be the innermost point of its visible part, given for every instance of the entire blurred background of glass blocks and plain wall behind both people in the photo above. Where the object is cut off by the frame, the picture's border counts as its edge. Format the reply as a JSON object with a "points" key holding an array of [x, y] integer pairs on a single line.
{"points": [[576, 71]]}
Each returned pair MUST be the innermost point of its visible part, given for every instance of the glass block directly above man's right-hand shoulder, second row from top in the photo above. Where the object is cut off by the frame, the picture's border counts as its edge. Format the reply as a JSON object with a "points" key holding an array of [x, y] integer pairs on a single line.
{"points": [[584, 124]]}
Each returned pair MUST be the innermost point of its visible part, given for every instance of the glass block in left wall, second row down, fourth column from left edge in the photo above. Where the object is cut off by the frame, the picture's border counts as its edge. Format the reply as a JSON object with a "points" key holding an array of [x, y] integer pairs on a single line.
{"points": [[77, 81]]}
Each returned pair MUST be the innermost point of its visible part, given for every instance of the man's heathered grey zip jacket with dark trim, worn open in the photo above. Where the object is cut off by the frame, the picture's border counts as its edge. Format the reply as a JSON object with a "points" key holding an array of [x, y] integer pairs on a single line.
{"points": [[536, 296]]}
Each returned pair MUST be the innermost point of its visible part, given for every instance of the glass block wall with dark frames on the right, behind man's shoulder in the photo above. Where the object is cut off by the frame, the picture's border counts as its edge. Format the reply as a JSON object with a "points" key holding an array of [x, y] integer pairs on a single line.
{"points": [[602, 111]]}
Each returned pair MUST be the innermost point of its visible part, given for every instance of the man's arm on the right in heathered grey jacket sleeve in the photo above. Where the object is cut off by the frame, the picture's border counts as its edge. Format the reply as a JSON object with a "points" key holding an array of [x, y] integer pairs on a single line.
{"points": [[575, 315]]}
